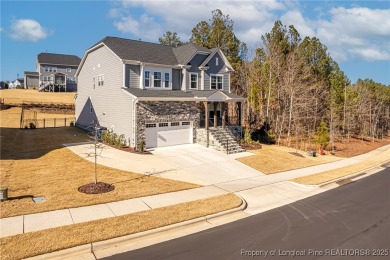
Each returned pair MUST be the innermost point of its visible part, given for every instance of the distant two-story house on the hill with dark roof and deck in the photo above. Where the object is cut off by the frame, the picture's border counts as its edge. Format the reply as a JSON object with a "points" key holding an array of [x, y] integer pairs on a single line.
{"points": [[57, 72]]}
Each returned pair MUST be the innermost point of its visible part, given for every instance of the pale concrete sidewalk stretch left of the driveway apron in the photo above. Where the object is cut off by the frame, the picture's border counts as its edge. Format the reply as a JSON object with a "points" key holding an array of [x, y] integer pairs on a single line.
{"points": [[39, 221]]}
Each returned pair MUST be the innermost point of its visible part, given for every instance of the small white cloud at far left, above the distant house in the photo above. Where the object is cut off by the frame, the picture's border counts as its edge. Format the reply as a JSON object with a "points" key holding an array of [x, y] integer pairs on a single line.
{"points": [[27, 30]]}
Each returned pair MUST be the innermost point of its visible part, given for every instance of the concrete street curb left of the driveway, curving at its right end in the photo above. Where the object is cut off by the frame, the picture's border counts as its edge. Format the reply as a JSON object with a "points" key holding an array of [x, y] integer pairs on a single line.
{"points": [[114, 242]]}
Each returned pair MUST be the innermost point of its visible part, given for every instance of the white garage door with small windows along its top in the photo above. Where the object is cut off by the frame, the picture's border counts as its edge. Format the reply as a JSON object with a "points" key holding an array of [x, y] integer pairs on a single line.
{"points": [[168, 134]]}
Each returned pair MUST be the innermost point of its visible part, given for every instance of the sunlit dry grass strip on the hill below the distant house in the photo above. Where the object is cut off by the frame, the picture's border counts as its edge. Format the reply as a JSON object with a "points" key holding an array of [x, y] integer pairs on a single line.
{"points": [[18, 96]]}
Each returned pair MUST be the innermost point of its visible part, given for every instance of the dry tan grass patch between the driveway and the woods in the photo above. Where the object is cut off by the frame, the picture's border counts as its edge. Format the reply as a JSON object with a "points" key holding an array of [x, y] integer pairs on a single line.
{"points": [[273, 159]]}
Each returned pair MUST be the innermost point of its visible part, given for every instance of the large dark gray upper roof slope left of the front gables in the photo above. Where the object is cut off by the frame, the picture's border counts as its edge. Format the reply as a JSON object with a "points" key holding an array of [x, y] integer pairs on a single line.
{"points": [[141, 51]]}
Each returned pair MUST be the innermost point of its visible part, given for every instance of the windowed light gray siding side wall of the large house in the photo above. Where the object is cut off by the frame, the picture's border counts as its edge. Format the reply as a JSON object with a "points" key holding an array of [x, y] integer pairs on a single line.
{"points": [[110, 98]]}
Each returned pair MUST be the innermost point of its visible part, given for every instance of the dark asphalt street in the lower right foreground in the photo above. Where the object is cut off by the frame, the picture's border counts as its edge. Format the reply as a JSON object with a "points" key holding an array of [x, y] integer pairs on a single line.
{"points": [[348, 222]]}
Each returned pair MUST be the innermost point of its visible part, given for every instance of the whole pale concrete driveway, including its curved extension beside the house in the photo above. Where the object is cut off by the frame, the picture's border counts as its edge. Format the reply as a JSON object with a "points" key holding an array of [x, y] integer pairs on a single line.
{"points": [[190, 163]]}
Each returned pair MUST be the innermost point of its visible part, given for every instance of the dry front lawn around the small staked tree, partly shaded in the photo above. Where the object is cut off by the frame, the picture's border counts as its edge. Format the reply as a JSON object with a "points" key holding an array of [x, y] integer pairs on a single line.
{"points": [[35, 163]]}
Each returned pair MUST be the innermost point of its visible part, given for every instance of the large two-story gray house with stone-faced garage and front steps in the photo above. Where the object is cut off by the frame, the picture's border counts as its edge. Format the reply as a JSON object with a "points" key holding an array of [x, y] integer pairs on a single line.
{"points": [[158, 94]]}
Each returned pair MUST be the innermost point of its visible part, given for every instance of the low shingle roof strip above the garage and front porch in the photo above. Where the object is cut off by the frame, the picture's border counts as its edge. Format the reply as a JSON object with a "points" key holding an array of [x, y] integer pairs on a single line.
{"points": [[157, 93]]}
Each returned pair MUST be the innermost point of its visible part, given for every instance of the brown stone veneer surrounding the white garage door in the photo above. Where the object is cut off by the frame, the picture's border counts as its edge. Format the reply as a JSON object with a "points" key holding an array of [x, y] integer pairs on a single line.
{"points": [[166, 111]]}
